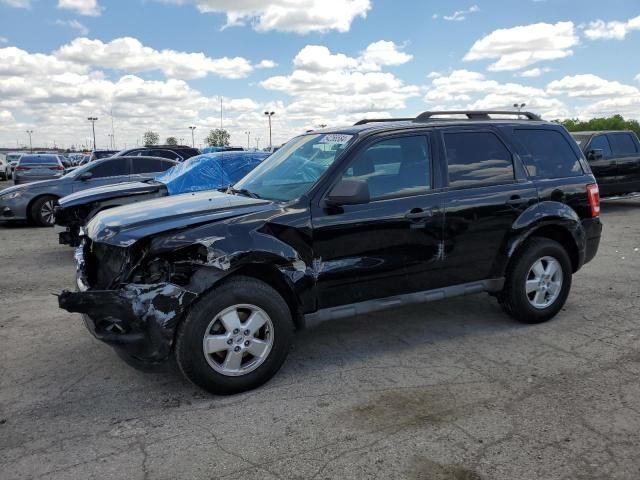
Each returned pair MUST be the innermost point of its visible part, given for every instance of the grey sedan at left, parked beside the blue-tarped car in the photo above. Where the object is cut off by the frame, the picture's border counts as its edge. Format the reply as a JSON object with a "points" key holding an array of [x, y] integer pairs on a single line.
{"points": [[35, 202]]}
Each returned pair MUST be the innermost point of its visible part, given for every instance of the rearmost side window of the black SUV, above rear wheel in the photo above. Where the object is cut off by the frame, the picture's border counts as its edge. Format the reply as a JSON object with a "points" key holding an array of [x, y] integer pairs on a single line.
{"points": [[547, 154]]}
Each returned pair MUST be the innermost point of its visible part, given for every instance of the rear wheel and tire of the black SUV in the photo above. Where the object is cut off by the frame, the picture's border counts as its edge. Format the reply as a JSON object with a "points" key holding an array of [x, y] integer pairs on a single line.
{"points": [[540, 304]]}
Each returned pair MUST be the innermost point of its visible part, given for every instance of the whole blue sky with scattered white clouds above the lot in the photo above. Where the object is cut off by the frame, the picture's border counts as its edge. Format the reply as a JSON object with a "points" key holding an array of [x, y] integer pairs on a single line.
{"points": [[164, 64]]}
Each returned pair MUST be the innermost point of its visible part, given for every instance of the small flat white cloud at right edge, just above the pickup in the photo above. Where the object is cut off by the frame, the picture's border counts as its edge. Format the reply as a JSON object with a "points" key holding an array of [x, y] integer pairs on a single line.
{"points": [[589, 86]]}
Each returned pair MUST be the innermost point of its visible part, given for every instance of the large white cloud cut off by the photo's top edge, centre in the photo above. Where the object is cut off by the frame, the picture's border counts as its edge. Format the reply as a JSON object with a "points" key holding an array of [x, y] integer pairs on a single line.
{"points": [[298, 16]]}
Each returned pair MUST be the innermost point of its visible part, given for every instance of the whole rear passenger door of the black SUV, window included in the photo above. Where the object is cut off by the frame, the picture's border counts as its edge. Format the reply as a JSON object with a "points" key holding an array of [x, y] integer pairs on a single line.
{"points": [[487, 191]]}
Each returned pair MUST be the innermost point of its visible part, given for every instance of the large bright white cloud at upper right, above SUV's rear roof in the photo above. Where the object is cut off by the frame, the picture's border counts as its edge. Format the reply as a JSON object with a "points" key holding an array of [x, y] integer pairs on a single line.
{"points": [[518, 47]]}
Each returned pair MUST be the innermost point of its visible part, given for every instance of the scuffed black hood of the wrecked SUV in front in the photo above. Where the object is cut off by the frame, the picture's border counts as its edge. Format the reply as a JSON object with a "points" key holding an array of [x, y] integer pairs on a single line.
{"points": [[123, 226]]}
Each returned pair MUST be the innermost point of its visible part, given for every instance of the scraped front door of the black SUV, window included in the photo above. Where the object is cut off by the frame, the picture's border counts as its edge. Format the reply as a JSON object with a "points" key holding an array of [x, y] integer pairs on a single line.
{"points": [[390, 245]]}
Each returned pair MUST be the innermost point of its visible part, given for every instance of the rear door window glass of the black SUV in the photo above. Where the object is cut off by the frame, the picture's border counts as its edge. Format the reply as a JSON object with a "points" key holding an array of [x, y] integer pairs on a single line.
{"points": [[476, 159]]}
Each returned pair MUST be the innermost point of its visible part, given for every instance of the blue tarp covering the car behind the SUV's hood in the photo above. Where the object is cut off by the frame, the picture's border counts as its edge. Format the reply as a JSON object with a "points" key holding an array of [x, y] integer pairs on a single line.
{"points": [[210, 171]]}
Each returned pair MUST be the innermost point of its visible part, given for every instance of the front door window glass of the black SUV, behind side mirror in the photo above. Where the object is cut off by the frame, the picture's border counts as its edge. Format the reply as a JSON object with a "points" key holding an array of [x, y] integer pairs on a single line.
{"points": [[394, 168]]}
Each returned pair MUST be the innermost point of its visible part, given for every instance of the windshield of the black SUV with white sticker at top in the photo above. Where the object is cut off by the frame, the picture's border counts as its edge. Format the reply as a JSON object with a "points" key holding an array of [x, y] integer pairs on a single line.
{"points": [[295, 167]]}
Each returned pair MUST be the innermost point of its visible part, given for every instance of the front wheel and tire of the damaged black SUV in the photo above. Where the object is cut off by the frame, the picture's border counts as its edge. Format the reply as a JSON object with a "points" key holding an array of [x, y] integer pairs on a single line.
{"points": [[250, 302]]}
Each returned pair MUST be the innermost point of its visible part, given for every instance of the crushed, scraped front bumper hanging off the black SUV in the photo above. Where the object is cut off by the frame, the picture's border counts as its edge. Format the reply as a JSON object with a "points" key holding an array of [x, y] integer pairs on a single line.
{"points": [[140, 319]]}
